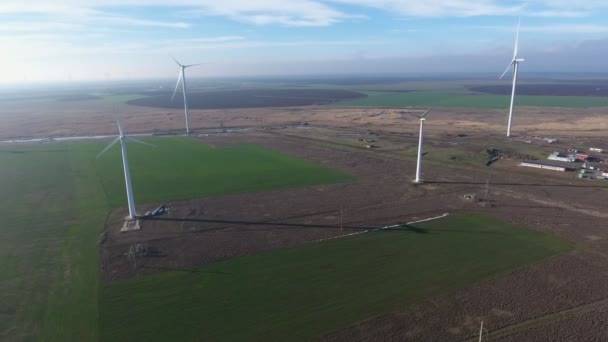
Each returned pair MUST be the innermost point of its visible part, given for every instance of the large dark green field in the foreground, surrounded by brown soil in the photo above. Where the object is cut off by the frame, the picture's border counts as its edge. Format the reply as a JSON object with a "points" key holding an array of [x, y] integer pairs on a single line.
{"points": [[299, 293]]}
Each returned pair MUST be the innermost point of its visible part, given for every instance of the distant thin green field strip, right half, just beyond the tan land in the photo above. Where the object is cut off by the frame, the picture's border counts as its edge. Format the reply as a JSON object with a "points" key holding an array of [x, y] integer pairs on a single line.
{"points": [[440, 99]]}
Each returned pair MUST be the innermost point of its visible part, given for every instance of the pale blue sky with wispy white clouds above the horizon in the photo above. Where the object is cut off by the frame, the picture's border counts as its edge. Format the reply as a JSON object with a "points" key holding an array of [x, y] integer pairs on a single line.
{"points": [[134, 39]]}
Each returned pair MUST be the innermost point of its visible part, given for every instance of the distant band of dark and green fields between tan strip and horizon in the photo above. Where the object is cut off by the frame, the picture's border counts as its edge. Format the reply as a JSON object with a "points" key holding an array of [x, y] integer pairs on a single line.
{"points": [[455, 94]]}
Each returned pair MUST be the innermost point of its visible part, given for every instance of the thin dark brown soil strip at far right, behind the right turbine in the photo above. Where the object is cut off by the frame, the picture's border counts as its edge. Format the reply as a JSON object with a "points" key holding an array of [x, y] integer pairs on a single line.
{"points": [[546, 89]]}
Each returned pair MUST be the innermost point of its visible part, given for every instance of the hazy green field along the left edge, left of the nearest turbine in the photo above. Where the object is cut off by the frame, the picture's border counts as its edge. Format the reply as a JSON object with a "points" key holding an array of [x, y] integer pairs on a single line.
{"points": [[53, 208]]}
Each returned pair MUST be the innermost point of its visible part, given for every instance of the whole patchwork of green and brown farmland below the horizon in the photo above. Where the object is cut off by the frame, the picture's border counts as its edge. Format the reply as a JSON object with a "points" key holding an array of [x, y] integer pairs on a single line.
{"points": [[65, 267]]}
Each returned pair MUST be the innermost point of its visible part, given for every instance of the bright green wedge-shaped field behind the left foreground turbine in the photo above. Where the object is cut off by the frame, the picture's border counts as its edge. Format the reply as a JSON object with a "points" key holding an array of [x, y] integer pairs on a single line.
{"points": [[161, 174]]}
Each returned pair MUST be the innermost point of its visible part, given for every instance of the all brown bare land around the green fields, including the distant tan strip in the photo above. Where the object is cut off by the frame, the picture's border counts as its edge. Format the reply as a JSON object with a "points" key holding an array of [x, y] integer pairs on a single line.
{"points": [[564, 298]]}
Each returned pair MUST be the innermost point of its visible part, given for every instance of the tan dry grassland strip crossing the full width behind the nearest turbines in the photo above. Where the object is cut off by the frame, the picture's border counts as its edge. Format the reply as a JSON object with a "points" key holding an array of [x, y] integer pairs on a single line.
{"points": [[52, 119]]}
